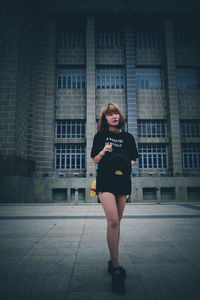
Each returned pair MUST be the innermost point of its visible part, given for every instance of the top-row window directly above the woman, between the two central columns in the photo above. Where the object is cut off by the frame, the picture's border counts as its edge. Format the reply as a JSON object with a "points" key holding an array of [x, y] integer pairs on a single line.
{"points": [[108, 40]]}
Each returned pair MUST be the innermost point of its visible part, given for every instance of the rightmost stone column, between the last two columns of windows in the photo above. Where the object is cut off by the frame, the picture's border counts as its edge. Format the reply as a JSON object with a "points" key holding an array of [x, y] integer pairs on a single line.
{"points": [[175, 162]]}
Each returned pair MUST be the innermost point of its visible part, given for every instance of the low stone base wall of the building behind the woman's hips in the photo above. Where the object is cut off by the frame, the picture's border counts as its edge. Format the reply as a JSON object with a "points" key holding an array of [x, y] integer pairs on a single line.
{"points": [[151, 190]]}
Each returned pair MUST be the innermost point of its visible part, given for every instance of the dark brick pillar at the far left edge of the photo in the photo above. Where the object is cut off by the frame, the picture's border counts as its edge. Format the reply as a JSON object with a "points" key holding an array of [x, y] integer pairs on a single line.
{"points": [[9, 65]]}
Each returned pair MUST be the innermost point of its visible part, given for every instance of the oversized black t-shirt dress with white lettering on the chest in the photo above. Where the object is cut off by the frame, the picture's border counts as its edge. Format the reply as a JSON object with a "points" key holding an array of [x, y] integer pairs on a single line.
{"points": [[114, 169]]}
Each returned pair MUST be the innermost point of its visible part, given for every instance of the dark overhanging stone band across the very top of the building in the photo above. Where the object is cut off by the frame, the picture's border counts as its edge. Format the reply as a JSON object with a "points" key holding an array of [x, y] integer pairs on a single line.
{"points": [[128, 6]]}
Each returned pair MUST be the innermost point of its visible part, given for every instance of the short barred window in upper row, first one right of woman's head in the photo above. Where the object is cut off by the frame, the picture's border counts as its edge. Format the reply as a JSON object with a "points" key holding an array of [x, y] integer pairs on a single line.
{"points": [[152, 128]]}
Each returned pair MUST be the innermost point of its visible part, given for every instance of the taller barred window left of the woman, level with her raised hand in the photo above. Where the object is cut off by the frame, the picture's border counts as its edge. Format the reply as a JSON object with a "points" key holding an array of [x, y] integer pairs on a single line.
{"points": [[70, 157]]}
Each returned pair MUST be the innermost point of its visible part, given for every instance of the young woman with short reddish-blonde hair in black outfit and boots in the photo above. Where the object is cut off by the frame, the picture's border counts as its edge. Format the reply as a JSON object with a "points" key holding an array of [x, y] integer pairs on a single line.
{"points": [[115, 152]]}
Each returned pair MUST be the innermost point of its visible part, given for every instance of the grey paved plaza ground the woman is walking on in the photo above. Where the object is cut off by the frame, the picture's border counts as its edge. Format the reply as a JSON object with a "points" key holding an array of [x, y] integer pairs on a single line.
{"points": [[52, 251]]}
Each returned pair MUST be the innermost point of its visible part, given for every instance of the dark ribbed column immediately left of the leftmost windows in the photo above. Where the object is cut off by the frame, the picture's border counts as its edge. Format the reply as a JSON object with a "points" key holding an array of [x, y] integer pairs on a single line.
{"points": [[37, 94]]}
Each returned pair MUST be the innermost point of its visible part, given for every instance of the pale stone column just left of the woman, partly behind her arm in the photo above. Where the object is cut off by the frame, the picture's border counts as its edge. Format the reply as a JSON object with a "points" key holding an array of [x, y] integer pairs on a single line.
{"points": [[90, 93]]}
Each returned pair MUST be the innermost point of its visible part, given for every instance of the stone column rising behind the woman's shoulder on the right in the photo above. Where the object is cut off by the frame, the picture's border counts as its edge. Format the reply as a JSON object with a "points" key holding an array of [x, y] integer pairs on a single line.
{"points": [[131, 86]]}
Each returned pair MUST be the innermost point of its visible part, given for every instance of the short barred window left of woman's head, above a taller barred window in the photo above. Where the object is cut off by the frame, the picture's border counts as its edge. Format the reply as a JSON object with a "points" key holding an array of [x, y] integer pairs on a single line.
{"points": [[70, 129]]}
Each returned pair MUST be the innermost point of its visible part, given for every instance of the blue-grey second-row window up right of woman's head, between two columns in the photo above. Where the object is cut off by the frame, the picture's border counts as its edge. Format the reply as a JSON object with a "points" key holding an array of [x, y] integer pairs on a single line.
{"points": [[149, 79]]}
